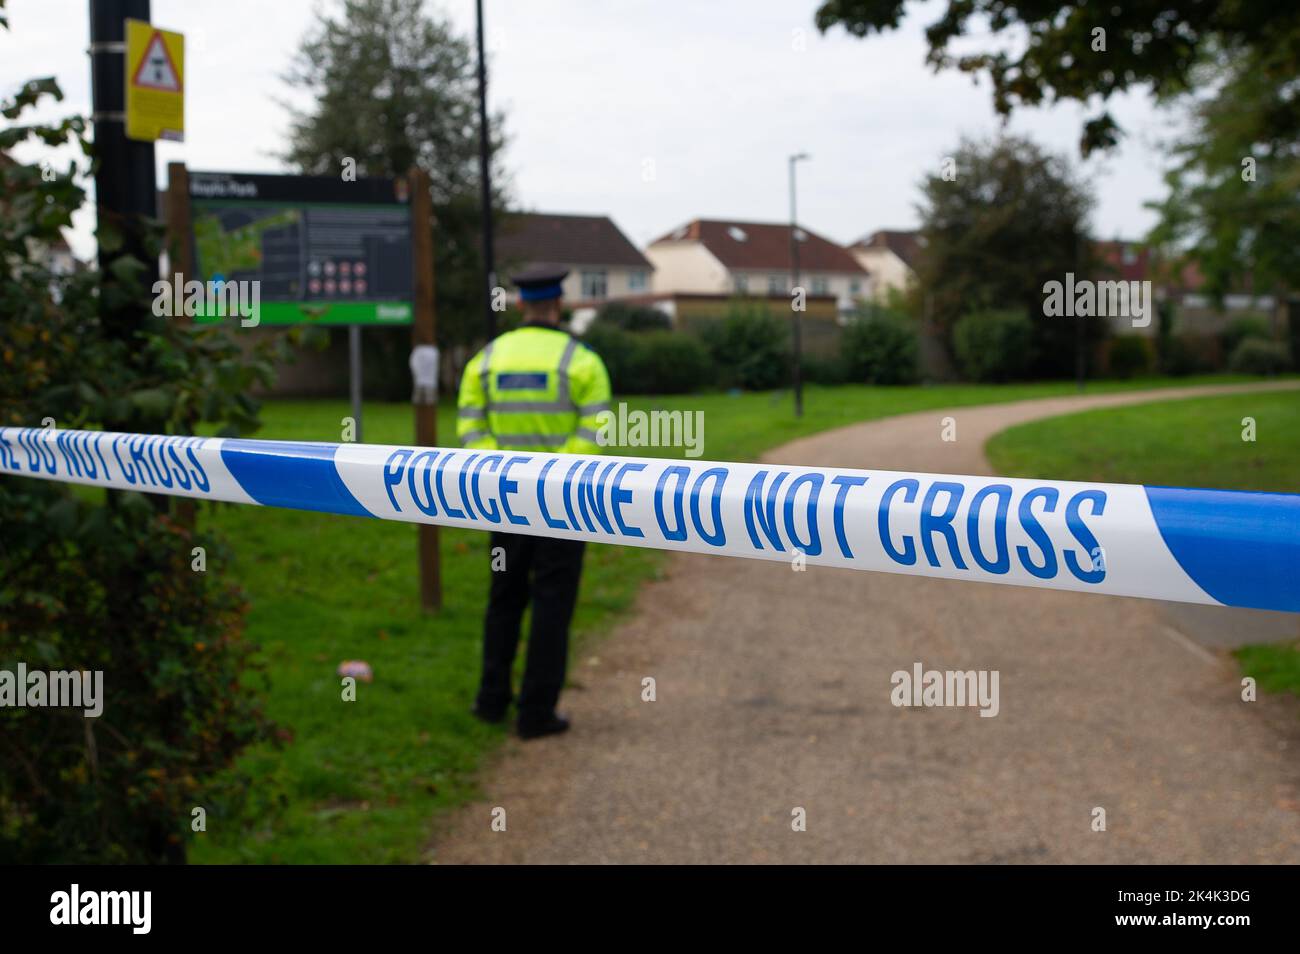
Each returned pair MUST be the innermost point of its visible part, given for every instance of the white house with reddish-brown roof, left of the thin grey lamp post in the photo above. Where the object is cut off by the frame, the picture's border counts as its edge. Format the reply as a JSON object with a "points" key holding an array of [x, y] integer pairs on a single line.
{"points": [[709, 257]]}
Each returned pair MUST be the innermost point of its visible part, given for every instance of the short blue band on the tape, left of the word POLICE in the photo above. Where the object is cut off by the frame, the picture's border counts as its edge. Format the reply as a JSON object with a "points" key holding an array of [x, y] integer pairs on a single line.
{"points": [[285, 474]]}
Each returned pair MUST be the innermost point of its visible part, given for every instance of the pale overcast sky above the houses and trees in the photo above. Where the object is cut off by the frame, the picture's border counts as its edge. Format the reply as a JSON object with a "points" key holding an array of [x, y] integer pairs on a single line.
{"points": [[651, 111]]}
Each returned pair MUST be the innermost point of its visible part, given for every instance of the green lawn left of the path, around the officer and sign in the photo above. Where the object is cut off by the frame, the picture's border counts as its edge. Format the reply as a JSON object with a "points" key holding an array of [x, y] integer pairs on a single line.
{"points": [[365, 782]]}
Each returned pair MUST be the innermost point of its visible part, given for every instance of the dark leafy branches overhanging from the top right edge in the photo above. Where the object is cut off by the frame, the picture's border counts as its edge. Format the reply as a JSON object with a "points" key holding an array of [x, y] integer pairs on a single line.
{"points": [[1042, 51]]}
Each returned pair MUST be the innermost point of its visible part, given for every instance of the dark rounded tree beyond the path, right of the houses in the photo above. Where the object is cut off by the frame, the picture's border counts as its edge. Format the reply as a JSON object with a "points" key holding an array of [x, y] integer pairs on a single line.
{"points": [[1013, 219]]}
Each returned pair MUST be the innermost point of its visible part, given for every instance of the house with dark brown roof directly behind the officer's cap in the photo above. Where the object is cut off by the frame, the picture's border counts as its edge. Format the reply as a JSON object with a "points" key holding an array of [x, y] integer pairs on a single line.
{"points": [[601, 261]]}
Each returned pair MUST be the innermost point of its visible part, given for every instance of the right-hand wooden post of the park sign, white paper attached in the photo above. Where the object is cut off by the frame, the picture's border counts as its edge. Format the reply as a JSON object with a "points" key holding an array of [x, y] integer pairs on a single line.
{"points": [[424, 332]]}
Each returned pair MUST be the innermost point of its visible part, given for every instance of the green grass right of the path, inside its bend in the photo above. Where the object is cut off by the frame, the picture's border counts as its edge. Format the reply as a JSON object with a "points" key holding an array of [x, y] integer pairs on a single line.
{"points": [[1190, 443]]}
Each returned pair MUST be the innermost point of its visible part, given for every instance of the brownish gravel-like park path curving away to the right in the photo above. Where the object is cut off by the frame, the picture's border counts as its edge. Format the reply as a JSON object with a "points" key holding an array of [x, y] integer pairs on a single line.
{"points": [[774, 695]]}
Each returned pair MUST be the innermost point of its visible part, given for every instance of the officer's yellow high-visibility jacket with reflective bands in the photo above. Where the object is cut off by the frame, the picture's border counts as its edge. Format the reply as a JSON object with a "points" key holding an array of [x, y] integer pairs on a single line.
{"points": [[534, 389]]}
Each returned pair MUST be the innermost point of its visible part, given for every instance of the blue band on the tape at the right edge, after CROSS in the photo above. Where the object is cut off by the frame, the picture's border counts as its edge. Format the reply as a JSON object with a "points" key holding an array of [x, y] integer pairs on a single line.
{"points": [[1241, 548]]}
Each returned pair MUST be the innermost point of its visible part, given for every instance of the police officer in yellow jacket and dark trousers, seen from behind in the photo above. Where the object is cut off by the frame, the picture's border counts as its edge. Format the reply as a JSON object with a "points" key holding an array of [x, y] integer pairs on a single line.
{"points": [[534, 389]]}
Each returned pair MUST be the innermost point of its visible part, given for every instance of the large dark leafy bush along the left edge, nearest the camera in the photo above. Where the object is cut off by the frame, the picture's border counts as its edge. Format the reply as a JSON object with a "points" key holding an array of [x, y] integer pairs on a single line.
{"points": [[93, 582]]}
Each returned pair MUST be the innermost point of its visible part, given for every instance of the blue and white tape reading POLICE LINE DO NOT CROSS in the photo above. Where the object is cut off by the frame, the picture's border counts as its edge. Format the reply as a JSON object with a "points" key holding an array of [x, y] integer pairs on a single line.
{"points": [[1197, 547]]}
